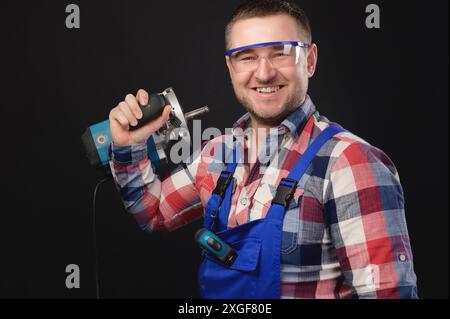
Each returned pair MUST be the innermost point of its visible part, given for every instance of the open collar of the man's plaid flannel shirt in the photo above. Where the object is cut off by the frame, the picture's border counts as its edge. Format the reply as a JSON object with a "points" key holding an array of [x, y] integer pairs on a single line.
{"points": [[294, 123]]}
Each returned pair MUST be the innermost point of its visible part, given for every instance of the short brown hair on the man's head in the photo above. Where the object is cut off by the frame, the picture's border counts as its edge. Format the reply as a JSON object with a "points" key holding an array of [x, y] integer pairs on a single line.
{"points": [[264, 8]]}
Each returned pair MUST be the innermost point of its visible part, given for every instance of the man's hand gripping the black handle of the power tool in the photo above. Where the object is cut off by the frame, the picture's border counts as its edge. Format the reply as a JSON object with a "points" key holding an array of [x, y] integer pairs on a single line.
{"points": [[127, 113]]}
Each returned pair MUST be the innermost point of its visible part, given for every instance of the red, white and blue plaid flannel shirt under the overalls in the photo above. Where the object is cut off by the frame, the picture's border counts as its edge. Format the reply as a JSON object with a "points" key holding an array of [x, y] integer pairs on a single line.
{"points": [[344, 232]]}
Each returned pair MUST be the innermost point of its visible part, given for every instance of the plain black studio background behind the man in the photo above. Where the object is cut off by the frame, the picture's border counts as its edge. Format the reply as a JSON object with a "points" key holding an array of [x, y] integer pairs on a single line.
{"points": [[389, 86]]}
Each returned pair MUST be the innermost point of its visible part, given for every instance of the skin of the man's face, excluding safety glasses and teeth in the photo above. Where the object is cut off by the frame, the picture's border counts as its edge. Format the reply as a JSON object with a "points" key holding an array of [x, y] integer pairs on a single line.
{"points": [[270, 109]]}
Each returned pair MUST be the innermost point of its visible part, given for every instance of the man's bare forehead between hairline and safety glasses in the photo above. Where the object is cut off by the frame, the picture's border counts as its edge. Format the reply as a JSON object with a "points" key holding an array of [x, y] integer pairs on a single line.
{"points": [[274, 28]]}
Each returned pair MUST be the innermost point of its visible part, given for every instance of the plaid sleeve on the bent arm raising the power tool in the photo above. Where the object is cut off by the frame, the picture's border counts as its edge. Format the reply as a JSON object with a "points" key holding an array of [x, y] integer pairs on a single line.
{"points": [[156, 205]]}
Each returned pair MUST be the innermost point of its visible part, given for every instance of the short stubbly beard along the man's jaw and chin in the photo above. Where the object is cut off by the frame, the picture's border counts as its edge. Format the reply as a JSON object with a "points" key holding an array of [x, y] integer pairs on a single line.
{"points": [[292, 103]]}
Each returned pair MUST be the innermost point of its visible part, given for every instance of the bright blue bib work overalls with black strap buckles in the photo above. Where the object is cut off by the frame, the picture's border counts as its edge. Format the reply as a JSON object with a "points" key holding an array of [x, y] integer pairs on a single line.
{"points": [[256, 271]]}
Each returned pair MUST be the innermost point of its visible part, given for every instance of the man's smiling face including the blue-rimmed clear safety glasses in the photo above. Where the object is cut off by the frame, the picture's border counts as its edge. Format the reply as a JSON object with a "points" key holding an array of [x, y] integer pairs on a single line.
{"points": [[269, 70]]}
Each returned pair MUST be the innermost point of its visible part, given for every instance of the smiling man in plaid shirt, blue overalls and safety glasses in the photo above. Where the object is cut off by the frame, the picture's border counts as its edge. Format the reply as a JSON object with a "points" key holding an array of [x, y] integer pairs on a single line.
{"points": [[322, 216]]}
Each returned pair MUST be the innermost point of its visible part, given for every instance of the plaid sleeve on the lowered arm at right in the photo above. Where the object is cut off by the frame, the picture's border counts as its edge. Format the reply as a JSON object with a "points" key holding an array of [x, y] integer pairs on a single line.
{"points": [[364, 205]]}
